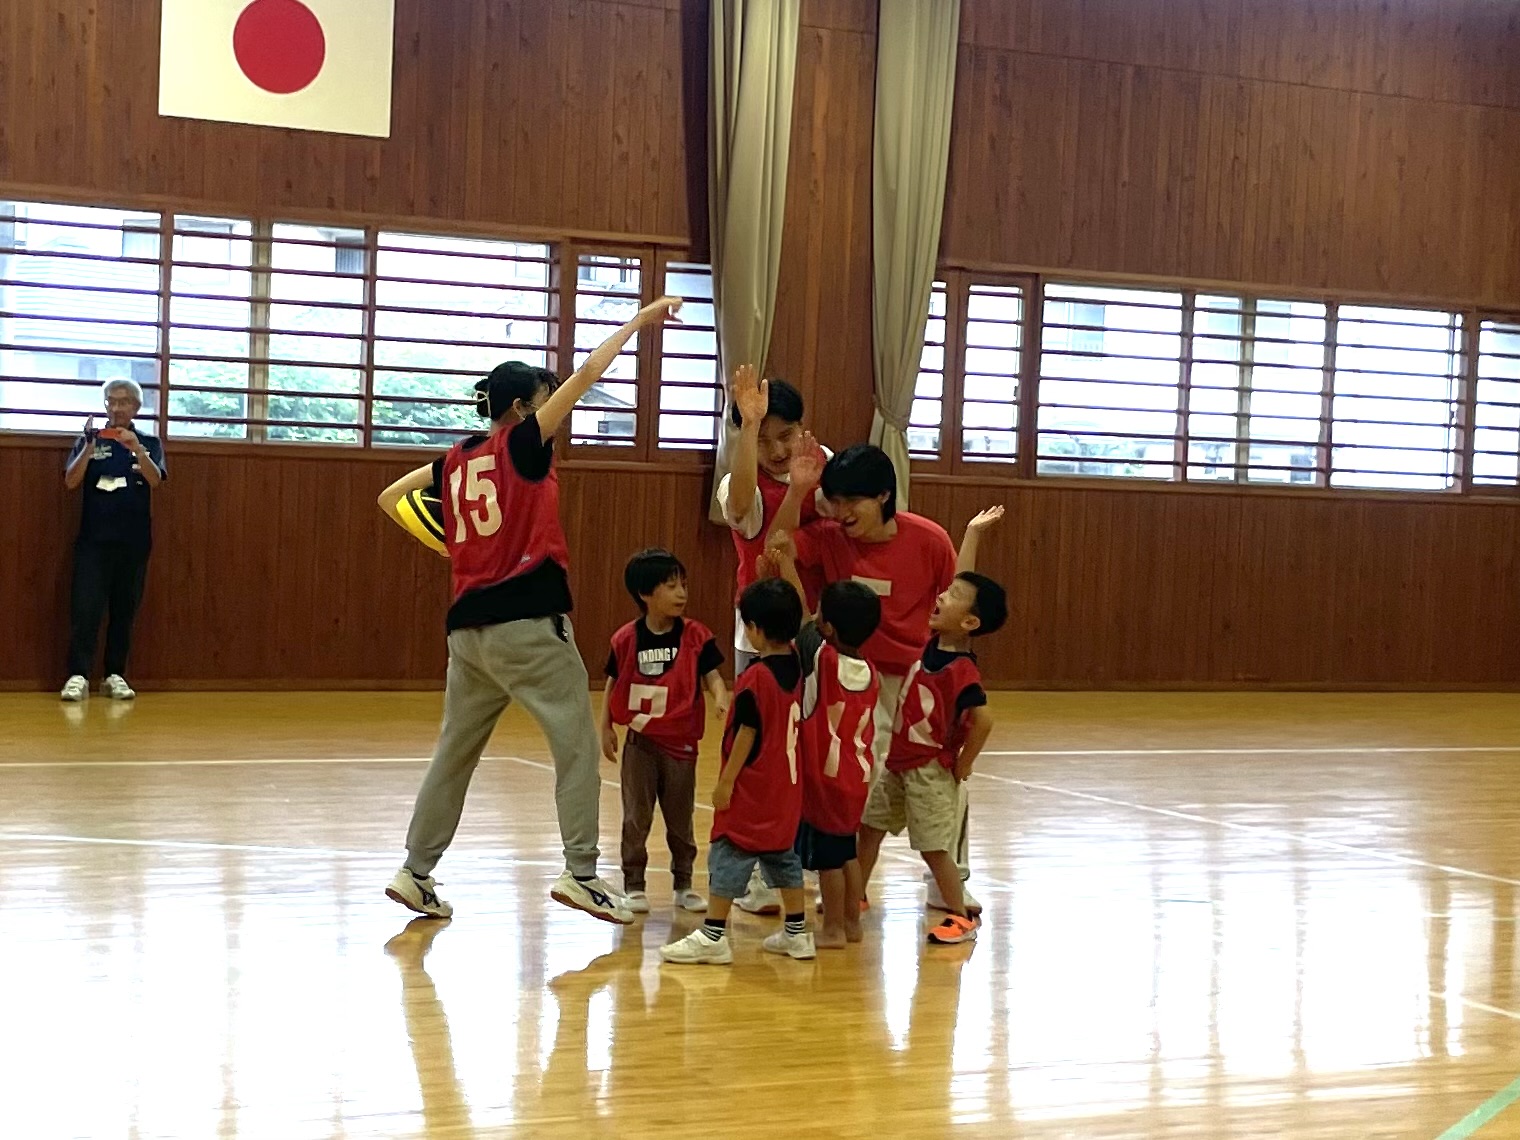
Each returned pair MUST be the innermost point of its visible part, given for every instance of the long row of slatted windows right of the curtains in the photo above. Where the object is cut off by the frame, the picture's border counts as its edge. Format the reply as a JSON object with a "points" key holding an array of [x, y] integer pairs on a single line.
{"points": [[1214, 388]]}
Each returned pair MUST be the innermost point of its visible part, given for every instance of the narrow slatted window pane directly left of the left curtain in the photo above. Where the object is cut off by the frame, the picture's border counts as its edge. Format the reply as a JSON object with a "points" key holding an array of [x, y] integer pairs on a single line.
{"points": [[691, 388]]}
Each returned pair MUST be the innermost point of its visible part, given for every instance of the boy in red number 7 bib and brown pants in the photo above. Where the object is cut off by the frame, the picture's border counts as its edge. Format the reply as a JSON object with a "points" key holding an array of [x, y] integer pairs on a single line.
{"points": [[656, 674]]}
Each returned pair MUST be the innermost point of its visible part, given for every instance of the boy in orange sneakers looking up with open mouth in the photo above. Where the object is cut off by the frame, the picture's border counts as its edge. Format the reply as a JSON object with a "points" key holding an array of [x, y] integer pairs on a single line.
{"points": [[940, 729]]}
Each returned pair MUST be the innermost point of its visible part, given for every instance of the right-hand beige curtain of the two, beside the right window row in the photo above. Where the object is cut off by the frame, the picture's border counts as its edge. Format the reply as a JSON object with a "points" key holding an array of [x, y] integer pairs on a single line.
{"points": [[916, 54]]}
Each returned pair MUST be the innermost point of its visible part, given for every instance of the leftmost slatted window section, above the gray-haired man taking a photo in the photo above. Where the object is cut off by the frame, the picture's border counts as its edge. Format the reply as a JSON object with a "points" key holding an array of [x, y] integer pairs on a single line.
{"points": [[75, 312]]}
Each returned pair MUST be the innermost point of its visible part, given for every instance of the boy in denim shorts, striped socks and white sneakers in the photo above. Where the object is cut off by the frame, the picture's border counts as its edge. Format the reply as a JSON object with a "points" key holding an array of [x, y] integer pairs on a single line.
{"points": [[759, 797]]}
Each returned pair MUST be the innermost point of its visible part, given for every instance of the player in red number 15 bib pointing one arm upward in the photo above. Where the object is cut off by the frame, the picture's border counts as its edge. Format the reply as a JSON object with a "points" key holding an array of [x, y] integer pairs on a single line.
{"points": [[510, 638]]}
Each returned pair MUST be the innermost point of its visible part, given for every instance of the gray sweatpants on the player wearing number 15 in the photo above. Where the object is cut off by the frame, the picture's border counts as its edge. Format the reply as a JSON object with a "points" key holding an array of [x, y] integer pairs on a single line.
{"points": [[490, 668]]}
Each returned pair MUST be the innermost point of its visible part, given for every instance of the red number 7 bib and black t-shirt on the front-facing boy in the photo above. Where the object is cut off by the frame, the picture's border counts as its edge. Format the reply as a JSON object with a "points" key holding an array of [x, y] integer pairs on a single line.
{"points": [[657, 688]]}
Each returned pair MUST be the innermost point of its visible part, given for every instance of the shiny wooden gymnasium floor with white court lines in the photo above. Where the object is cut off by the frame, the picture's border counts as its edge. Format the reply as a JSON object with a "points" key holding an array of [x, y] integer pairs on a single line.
{"points": [[1226, 916]]}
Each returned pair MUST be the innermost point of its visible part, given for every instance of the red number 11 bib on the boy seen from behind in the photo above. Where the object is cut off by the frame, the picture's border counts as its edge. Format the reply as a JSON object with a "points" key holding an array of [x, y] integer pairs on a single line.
{"points": [[838, 727]]}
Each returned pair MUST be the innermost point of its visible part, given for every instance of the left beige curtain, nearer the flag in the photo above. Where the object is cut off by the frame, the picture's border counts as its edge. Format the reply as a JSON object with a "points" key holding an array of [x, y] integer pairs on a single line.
{"points": [[753, 69]]}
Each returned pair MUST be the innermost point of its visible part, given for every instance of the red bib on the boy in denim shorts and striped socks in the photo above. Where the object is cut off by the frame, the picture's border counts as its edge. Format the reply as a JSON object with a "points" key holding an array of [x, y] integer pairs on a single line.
{"points": [[768, 800]]}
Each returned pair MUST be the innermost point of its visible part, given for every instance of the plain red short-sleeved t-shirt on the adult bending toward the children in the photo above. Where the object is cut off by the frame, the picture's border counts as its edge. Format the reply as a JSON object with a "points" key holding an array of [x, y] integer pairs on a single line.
{"points": [[908, 572]]}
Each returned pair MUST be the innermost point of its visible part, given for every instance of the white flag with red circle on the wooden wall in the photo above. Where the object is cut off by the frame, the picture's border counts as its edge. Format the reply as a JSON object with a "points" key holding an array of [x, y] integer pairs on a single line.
{"points": [[308, 65]]}
